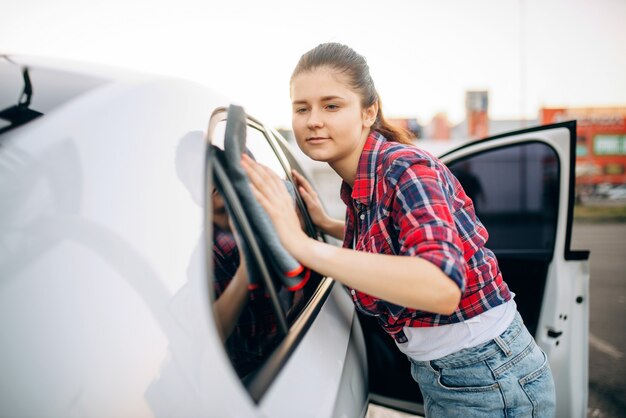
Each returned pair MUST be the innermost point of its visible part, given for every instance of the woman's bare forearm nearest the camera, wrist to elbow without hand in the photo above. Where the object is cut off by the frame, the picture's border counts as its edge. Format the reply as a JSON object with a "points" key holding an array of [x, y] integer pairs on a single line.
{"points": [[406, 281]]}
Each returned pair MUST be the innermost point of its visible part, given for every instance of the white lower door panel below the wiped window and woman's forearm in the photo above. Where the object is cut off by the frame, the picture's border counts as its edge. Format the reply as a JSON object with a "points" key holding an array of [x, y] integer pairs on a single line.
{"points": [[316, 381]]}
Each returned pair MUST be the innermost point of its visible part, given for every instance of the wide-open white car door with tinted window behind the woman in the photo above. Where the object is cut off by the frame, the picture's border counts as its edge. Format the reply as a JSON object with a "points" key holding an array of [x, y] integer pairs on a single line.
{"points": [[522, 185]]}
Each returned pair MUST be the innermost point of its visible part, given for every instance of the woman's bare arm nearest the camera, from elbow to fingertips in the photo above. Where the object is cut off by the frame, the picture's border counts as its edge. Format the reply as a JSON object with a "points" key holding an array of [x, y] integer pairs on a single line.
{"points": [[406, 281]]}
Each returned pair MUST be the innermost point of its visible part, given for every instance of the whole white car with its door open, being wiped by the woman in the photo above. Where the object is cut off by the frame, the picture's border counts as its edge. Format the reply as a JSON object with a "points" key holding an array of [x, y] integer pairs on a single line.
{"points": [[115, 206]]}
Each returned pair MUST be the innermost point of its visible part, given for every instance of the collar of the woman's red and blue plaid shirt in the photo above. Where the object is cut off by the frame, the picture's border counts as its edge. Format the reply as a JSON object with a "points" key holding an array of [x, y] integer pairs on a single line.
{"points": [[363, 189]]}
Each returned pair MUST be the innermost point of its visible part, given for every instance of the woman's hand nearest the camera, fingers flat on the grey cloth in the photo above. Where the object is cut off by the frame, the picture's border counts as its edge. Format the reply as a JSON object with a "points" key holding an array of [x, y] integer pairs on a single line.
{"points": [[271, 193]]}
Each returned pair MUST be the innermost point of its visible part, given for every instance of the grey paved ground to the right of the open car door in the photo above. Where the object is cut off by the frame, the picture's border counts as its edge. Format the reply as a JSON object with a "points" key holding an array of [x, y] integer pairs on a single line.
{"points": [[607, 342]]}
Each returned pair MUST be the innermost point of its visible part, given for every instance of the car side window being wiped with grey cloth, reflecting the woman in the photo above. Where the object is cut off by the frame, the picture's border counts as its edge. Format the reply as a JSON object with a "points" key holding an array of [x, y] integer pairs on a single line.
{"points": [[254, 324]]}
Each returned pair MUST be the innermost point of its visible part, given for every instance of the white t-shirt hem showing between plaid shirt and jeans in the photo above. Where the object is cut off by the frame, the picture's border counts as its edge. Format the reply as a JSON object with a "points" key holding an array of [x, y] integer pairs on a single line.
{"points": [[431, 343]]}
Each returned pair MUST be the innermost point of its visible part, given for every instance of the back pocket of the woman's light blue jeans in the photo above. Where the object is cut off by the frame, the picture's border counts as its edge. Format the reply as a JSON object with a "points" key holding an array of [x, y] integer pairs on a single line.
{"points": [[539, 387]]}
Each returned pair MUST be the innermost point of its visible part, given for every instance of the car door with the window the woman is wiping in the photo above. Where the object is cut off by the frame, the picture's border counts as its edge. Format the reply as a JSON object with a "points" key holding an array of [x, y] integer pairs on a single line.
{"points": [[298, 350]]}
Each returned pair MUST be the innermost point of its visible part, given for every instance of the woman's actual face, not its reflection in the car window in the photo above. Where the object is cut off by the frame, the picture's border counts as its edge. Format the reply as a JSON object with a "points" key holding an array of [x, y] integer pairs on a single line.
{"points": [[328, 120]]}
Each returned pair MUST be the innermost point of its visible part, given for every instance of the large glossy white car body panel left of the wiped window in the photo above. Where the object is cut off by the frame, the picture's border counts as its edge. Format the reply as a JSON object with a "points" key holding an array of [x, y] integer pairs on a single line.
{"points": [[105, 311]]}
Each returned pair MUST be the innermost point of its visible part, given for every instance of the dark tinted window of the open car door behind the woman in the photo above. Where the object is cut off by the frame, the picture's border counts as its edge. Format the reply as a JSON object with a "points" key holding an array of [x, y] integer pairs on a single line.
{"points": [[515, 190]]}
